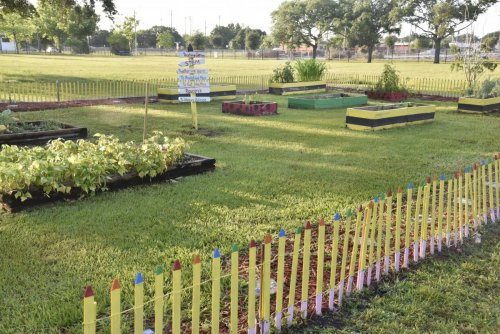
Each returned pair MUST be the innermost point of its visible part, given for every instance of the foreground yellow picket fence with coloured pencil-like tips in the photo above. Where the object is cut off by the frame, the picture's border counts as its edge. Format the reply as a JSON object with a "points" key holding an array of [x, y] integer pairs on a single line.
{"points": [[265, 287]]}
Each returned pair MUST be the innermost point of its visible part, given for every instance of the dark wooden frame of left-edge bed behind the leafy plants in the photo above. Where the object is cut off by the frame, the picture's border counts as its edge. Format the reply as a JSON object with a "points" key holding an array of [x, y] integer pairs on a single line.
{"points": [[66, 131]]}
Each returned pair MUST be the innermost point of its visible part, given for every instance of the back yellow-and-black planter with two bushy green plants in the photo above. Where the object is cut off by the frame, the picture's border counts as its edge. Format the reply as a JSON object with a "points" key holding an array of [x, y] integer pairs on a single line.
{"points": [[306, 76]]}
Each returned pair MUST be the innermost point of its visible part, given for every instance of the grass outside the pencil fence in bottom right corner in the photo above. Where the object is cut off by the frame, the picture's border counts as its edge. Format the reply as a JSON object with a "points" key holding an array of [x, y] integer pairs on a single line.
{"points": [[456, 293]]}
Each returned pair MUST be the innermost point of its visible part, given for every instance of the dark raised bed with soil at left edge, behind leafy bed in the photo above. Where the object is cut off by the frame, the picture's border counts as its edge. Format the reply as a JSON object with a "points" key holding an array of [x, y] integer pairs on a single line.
{"points": [[40, 132]]}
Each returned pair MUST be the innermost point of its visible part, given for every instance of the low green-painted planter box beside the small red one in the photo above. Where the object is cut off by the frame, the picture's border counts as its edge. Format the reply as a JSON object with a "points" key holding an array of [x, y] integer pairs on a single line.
{"points": [[327, 101]]}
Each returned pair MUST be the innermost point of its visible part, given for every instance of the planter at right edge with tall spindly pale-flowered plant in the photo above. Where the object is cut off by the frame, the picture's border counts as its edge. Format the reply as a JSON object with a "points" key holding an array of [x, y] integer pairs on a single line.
{"points": [[473, 61]]}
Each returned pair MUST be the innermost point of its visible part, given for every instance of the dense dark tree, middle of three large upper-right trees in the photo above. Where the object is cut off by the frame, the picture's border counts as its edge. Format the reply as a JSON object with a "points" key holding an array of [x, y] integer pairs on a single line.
{"points": [[368, 20]]}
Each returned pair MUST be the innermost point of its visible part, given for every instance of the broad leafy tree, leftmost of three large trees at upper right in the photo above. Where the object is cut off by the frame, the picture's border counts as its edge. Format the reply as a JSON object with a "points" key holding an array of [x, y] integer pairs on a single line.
{"points": [[298, 22]]}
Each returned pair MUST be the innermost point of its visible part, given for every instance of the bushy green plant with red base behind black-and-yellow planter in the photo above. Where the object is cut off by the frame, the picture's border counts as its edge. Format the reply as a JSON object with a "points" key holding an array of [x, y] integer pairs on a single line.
{"points": [[388, 87]]}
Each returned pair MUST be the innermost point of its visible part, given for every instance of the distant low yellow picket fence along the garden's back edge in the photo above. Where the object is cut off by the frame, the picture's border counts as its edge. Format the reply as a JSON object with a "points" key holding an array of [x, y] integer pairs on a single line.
{"points": [[15, 92]]}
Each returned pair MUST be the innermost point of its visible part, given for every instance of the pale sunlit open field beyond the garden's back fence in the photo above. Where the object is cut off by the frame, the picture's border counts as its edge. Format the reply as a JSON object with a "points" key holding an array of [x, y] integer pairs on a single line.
{"points": [[82, 68]]}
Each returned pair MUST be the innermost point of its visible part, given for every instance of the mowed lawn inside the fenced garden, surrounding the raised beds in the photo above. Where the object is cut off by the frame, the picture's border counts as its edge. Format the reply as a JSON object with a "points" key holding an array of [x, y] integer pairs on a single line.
{"points": [[272, 172]]}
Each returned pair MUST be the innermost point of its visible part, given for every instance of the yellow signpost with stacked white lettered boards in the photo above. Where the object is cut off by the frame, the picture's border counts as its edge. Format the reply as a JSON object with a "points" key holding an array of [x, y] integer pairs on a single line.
{"points": [[193, 81]]}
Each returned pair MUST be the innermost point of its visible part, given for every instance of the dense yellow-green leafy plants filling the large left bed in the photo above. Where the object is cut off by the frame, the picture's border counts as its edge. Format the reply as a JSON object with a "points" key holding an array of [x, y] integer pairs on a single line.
{"points": [[63, 165]]}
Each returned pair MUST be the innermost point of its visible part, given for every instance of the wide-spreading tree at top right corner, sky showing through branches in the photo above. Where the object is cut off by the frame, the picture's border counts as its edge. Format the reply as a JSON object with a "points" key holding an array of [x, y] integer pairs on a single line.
{"points": [[438, 19]]}
